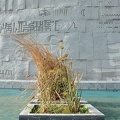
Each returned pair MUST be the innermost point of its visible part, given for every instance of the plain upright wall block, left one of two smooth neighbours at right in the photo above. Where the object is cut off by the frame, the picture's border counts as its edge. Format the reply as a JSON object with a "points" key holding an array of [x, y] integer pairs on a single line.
{"points": [[86, 46]]}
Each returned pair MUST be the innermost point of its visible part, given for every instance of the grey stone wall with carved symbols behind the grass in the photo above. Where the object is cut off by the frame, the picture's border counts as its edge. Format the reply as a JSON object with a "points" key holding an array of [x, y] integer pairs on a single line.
{"points": [[89, 28]]}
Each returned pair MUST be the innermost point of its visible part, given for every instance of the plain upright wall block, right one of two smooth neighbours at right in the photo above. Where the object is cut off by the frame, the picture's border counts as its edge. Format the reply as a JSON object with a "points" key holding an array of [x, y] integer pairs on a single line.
{"points": [[100, 45]]}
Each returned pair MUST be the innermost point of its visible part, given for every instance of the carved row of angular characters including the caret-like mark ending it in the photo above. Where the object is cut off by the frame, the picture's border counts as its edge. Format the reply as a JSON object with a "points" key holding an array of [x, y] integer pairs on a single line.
{"points": [[36, 26]]}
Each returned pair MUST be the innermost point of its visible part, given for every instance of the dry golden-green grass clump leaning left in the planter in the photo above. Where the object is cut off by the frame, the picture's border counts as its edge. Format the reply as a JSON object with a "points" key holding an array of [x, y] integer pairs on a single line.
{"points": [[55, 80]]}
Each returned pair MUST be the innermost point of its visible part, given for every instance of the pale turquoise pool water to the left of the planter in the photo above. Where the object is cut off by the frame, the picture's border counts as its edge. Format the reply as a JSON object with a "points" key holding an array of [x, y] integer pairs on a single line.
{"points": [[12, 101]]}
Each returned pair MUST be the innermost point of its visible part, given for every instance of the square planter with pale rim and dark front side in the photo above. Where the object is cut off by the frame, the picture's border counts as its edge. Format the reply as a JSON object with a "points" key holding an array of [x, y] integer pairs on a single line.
{"points": [[93, 115]]}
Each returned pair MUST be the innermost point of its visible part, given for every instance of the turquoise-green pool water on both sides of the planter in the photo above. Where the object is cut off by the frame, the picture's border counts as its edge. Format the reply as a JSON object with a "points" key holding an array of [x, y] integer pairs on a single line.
{"points": [[12, 101]]}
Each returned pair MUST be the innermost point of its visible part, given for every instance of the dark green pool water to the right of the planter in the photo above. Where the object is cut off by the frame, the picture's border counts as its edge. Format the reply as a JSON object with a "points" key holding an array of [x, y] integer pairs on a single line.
{"points": [[108, 102]]}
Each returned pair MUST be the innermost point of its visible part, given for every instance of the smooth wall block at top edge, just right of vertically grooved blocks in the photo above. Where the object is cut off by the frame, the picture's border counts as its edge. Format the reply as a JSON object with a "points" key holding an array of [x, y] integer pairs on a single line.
{"points": [[32, 4]]}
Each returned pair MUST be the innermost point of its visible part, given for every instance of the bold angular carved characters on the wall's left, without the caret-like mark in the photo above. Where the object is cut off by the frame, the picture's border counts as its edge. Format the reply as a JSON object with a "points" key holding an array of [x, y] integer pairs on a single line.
{"points": [[29, 26]]}
